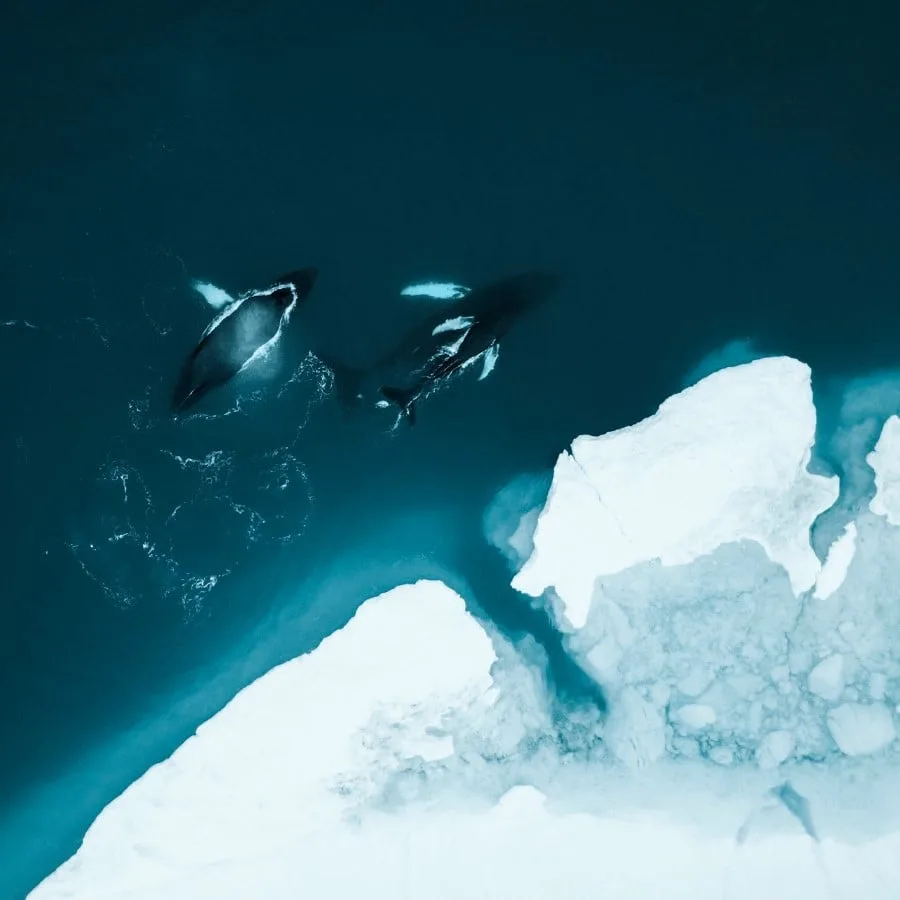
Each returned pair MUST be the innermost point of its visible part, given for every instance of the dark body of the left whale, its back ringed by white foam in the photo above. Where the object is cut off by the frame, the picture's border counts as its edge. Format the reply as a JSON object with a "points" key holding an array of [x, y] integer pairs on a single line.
{"points": [[240, 334]]}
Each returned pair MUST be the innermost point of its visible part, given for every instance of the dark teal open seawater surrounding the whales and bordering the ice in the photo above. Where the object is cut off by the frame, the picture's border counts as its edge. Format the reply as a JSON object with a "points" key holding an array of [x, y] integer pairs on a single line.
{"points": [[697, 176]]}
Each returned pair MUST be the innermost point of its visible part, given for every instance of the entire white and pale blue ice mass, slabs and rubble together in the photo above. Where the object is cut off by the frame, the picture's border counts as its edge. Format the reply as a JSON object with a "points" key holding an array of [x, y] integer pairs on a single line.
{"points": [[748, 746]]}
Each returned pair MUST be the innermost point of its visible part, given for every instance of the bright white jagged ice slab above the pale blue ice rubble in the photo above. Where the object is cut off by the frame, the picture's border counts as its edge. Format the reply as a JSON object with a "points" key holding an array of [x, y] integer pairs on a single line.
{"points": [[724, 461]]}
